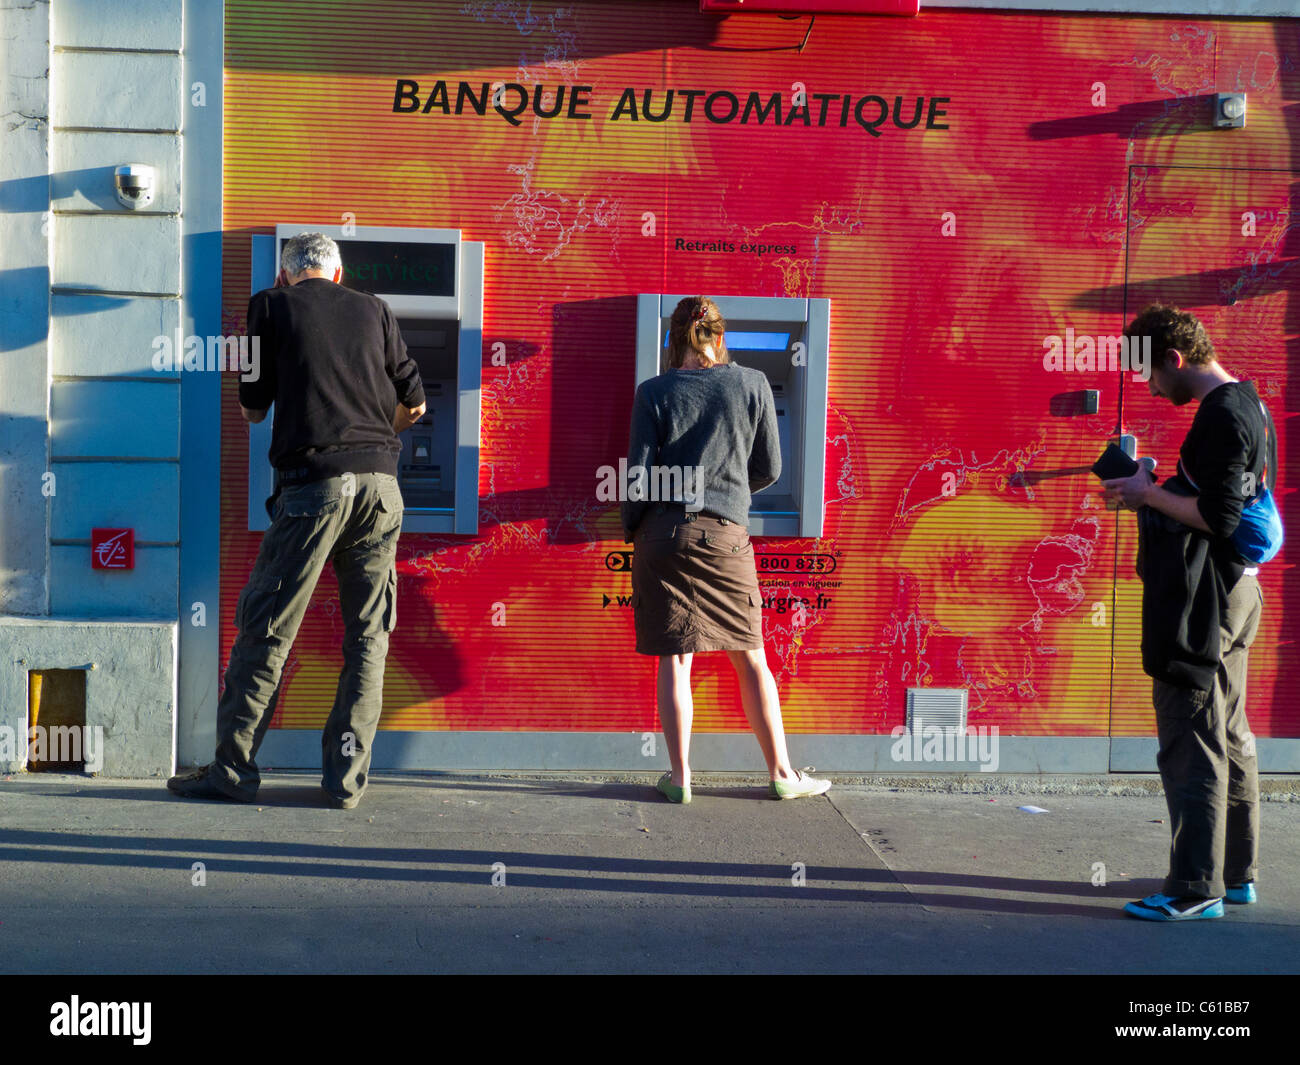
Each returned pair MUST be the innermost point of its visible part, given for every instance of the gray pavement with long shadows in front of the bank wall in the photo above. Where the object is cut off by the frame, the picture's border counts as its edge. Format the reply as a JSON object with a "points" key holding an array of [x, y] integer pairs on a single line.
{"points": [[605, 877]]}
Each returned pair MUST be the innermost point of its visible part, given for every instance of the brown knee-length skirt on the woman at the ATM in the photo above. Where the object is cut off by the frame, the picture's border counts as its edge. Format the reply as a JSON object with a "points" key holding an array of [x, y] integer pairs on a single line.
{"points": [[695, 587]]}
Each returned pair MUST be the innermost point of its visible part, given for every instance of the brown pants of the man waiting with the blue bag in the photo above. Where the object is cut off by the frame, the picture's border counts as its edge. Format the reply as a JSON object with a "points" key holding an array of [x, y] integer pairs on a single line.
{"points": [[1208, 765]]}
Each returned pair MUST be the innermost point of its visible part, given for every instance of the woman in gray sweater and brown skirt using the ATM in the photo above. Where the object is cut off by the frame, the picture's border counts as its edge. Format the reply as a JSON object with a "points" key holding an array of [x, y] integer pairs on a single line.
{"points": [[705, 435]]}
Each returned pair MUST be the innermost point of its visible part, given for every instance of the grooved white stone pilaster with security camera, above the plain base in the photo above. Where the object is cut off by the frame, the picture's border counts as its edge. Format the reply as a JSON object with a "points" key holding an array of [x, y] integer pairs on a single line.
{"points": [[116, 98]]}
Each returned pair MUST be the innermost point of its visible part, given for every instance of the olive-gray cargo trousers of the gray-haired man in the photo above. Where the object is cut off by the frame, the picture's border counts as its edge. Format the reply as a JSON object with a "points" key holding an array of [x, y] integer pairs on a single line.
{"points": [[354, 522]]}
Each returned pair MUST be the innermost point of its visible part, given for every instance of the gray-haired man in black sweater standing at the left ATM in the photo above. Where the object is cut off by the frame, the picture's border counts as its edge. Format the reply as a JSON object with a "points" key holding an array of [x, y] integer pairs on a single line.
{"points": [[337, 370]]}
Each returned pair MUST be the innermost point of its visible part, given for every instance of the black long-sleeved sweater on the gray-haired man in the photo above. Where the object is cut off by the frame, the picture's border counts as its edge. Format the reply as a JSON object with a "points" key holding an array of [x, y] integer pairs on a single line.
{"points": [[335, 365]]}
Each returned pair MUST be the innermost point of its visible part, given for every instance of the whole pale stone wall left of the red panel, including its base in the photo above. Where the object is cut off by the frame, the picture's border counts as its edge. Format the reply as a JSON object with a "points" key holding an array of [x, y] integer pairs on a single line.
{"points": [[89, 430]]}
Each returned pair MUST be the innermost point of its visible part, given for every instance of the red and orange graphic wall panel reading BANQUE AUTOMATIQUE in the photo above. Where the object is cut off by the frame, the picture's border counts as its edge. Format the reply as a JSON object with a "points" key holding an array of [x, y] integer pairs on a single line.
{"points": [[961, 187]]}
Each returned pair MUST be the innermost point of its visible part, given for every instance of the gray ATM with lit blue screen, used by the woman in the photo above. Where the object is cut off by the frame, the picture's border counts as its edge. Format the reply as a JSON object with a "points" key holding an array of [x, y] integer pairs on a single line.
{"points": [[790, 341]]}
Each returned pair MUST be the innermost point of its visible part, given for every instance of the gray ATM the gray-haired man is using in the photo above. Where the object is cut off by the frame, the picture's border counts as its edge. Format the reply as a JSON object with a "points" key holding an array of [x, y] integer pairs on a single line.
{"points": [[435, 284]]}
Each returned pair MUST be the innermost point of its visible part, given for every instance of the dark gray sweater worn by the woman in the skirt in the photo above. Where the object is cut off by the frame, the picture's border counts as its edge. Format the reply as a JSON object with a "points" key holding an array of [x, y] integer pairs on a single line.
{"points": [[721, 419]]}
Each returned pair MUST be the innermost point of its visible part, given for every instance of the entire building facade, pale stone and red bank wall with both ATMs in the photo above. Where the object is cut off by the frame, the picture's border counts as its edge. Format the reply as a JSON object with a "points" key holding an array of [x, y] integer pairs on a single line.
{"points": [[928, 231]]}
